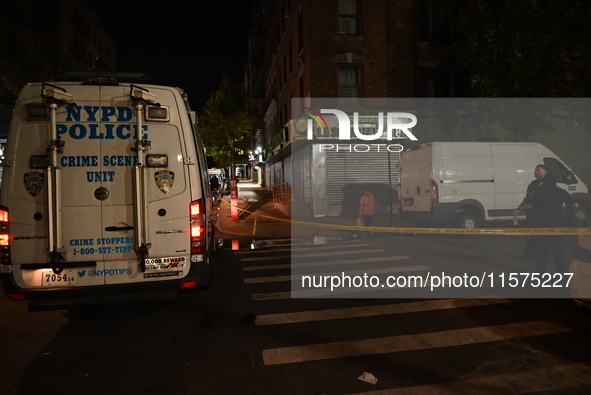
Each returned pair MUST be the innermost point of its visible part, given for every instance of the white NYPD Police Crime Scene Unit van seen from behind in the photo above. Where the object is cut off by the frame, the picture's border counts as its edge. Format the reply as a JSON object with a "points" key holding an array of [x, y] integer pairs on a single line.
{"points": [[105, 196]]}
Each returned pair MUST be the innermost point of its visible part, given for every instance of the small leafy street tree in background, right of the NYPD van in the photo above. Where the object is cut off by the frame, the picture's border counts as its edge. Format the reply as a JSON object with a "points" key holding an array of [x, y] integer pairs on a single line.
{"points": [[225, 124]]}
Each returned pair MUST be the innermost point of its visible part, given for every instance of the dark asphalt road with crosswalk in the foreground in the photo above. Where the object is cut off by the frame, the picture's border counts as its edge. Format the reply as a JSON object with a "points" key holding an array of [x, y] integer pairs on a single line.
{"points": [[246, 335]]}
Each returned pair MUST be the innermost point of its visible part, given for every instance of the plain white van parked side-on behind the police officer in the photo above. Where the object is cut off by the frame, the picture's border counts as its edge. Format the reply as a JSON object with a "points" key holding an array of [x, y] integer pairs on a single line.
{"points": [[468, 183]]}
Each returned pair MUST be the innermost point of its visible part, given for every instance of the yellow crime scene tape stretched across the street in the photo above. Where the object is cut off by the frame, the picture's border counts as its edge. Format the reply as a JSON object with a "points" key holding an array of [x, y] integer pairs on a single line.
{"points": [[566, 231]]}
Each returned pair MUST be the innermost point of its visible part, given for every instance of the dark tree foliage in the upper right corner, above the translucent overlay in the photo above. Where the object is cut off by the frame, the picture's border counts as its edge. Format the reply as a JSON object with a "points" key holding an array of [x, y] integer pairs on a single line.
{"points": [[536, 48]]}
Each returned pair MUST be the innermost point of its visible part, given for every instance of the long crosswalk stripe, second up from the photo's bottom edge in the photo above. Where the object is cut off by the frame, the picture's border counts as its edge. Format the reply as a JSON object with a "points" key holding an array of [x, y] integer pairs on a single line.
{"points": [[315, 352]]}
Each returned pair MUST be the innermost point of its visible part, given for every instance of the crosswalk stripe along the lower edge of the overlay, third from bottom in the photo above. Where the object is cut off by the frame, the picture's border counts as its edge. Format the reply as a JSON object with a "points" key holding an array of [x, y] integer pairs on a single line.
{"points": [[368, 311]]}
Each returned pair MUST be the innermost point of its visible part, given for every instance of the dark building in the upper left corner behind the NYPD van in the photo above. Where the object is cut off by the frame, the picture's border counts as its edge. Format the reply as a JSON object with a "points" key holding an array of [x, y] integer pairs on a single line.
{"points": [[39, 37]]}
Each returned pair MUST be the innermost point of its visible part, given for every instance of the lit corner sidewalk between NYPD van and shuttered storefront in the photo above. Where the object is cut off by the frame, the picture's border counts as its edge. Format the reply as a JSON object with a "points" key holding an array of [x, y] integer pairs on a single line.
{"points": [[260, 218]]}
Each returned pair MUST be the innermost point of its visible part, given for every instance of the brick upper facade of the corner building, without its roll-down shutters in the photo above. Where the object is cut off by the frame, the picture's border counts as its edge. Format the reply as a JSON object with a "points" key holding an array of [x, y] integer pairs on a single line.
{"points": [[345, 49]]}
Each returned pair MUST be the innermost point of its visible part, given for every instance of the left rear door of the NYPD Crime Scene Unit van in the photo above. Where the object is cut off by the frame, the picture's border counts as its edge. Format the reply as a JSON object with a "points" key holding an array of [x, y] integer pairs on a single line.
{"points": [[29, 192]]}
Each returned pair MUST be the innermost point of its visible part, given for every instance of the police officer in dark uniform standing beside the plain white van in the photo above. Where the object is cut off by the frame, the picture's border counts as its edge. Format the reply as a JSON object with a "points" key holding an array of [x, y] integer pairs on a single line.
{"points": [[547, 203]]}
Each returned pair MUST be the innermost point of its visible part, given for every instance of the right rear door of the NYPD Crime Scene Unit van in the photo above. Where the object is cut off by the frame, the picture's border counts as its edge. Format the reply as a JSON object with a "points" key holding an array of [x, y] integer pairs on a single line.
{"points": [[165, 193]]}
